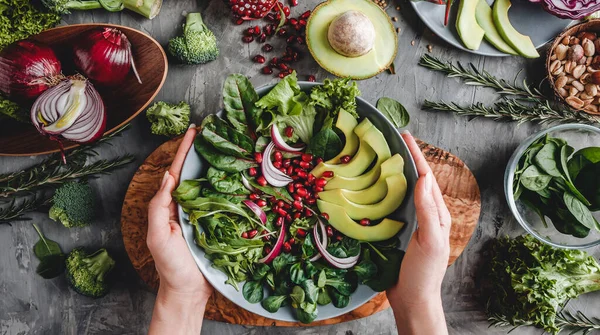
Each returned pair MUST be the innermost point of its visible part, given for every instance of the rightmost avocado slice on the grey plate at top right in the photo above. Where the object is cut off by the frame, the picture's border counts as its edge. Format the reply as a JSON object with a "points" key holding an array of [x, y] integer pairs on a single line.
{"points": [[521, 43]]}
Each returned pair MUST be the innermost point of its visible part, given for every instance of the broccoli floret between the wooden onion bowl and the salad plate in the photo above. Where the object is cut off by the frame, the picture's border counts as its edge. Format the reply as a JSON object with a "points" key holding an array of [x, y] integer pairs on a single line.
{"points": [[169, 119]]}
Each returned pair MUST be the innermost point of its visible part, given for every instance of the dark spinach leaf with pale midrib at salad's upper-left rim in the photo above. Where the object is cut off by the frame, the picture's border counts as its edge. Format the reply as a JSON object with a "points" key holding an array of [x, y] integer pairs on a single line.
{"points": [[226, 139]]}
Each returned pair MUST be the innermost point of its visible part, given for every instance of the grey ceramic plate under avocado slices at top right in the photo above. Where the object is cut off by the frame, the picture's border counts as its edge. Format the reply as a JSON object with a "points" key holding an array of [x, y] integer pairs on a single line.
{"points": [[528, 18]]}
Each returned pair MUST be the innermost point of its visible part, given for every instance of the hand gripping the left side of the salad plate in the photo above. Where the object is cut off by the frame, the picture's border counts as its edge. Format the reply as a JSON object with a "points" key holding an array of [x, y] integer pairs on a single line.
{"points": [[178, 272]]}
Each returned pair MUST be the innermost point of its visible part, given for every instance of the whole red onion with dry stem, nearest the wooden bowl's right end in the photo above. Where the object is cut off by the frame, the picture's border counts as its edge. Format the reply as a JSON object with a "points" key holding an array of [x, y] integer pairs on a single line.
{"points": [[104, 56]]}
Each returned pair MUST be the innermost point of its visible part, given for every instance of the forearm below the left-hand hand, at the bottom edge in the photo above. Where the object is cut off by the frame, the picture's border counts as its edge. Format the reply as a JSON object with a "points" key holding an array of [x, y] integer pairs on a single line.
{"points": [[177, 314]]}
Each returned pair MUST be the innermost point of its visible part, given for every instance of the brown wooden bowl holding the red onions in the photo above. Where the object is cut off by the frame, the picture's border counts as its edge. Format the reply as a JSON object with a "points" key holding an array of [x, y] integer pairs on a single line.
{"points": [[123, 102]]}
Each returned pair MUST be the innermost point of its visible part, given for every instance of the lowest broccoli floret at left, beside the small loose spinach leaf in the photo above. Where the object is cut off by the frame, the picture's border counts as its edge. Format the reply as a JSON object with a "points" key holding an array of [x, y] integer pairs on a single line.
{"points": [[86, 273]]}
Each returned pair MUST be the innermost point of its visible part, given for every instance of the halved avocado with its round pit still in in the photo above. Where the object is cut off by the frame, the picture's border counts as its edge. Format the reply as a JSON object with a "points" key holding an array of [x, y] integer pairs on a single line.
{"points": [[359, 56]]}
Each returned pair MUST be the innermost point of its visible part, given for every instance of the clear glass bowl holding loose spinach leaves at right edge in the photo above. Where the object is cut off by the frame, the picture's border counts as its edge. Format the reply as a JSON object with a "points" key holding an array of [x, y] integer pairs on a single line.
{"points": [[578, 136]]}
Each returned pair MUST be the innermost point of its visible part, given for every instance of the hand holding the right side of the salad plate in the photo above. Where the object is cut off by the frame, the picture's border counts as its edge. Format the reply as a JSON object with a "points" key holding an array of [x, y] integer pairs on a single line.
{"points": [[426, 258]]}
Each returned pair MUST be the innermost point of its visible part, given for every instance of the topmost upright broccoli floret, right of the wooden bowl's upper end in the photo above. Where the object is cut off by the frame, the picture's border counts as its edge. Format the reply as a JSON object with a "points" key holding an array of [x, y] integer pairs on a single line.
{"points": [[197, 45]]}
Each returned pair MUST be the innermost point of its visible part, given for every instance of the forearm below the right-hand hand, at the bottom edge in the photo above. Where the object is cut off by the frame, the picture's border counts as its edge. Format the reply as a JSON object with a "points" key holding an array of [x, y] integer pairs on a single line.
{"points": [[423, 319]]}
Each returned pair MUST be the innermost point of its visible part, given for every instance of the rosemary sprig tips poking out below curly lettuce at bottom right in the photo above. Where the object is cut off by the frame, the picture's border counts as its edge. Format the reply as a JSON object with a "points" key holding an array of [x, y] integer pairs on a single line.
{"points": [[565, 321]]}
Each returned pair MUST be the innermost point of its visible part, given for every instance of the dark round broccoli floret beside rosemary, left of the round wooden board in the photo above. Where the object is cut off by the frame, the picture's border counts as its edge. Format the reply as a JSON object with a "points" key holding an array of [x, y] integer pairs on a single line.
{"points": [[73, 205]]}
